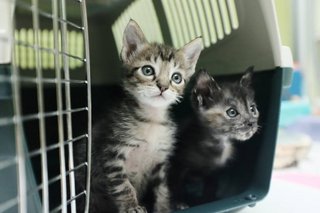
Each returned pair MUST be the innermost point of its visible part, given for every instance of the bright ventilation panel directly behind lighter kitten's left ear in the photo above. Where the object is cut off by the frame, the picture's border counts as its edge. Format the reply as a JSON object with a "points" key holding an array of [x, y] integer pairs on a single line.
{"points": [[144, 13]]}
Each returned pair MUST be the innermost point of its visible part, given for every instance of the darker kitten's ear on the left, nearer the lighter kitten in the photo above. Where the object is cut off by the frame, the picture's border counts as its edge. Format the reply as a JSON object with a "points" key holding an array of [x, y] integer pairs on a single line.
{"points": [[205, 88]]}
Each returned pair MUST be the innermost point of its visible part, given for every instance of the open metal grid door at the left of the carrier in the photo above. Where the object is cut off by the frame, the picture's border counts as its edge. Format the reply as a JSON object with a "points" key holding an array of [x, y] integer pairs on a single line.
{"points": [[44, 110]]}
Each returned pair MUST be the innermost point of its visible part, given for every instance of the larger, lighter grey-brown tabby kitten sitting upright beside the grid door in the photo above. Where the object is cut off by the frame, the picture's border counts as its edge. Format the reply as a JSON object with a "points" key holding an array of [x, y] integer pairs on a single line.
{"points": [[131, 145]]}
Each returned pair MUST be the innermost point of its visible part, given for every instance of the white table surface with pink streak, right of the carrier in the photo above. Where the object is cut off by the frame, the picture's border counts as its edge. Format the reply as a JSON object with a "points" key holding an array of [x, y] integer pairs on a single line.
{"points": [[294, 190]]}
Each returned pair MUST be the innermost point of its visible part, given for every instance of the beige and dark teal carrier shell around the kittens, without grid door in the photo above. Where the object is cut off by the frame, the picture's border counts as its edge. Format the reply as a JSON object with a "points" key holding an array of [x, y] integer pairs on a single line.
{"points": [[236, 34]]}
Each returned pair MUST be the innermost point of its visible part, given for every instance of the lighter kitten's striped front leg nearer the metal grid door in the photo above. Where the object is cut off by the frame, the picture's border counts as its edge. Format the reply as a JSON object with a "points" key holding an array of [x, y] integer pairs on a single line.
{"points": [[121, 190]]}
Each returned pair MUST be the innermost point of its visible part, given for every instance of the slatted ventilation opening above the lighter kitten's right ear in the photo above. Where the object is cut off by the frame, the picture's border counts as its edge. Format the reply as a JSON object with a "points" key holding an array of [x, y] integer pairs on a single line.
{"points": [[211, 19]]}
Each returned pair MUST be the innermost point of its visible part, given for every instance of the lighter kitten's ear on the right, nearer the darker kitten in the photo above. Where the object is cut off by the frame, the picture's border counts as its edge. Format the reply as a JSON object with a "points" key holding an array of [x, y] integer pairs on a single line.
{"points": [[191, 53]]}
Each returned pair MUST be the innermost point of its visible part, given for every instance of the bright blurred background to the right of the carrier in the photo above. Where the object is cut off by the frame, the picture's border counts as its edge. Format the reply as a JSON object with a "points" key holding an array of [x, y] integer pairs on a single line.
{"points": [[295, 185]]}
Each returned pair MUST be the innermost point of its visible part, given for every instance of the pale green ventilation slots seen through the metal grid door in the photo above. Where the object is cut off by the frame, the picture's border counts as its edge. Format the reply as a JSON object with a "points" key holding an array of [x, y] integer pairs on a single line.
{"points": [[25, 49]]}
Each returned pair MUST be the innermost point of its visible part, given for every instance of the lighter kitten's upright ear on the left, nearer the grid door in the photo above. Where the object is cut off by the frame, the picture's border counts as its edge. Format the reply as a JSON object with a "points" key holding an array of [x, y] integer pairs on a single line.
{"points": [[133, 40]]}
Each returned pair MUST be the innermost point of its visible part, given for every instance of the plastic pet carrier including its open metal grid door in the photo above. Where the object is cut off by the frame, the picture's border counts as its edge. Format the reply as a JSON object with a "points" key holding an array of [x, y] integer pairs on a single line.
{"points": [[46, 88]]}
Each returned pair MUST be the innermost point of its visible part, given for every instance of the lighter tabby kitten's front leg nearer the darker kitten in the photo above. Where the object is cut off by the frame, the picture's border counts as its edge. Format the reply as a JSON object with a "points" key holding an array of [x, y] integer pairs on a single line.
{"points": [[162, 193]]}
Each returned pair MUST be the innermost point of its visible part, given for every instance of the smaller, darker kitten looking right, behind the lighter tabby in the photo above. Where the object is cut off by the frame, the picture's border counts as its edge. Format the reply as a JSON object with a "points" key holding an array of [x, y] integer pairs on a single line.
{"points": [[222, 114]]}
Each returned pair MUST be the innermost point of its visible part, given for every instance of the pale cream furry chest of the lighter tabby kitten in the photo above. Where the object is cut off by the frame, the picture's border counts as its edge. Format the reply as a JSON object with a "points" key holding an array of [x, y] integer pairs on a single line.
{"points": [[153, 142]]}
